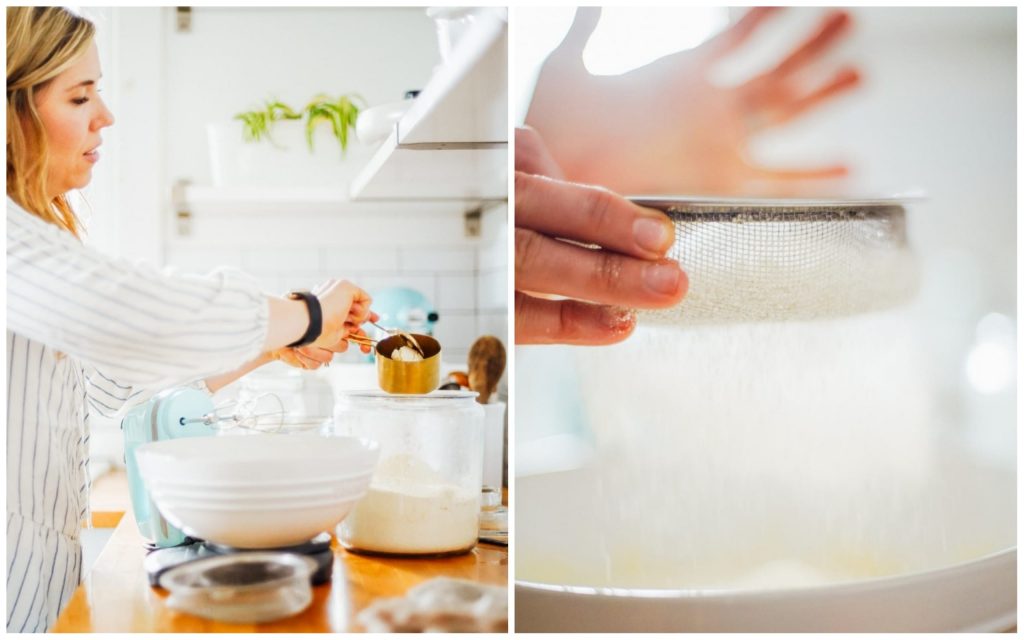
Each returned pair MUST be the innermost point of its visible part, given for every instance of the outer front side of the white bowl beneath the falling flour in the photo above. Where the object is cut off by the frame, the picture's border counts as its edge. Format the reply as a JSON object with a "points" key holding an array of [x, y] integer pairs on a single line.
{"points": [[978, 596]]}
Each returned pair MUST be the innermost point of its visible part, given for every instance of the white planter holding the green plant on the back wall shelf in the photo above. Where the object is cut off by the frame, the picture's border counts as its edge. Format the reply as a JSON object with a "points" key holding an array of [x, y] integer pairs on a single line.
{"points": [[286, 162]]}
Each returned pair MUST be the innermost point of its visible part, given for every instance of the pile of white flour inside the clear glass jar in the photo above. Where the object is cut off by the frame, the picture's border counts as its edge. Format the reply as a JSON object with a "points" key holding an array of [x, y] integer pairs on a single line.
{"points": [[412, 509]]}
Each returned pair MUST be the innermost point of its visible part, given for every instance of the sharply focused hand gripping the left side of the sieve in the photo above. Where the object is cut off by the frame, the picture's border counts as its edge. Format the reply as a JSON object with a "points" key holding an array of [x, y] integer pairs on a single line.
{"points": [[628, 271]]}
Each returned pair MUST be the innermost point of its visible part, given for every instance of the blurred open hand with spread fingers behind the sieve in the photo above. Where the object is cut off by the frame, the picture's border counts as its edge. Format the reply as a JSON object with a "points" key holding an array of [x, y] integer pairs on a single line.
{"points": [[666, 129]]}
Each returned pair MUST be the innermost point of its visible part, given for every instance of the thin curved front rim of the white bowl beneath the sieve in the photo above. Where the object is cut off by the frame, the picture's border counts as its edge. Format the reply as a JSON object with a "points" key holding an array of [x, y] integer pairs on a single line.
{"points": [[846, 588]]}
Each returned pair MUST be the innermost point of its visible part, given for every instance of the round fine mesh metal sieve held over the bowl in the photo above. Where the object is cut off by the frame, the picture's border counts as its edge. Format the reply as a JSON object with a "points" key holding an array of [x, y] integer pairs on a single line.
{"points": [[765, 261]]}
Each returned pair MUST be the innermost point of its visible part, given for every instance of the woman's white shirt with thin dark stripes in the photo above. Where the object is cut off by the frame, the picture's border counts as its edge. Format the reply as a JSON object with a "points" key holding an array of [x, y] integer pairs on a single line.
{"points": [[92, 334]]}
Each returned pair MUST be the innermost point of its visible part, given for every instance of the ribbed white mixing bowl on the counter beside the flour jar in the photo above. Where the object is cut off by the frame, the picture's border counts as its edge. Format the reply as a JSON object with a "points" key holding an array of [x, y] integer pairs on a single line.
{"points": [[217, 504]]}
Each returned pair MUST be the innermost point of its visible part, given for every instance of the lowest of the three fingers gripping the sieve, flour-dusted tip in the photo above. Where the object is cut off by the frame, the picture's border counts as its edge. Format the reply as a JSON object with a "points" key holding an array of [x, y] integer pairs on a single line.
{"points": [[570, 322]]}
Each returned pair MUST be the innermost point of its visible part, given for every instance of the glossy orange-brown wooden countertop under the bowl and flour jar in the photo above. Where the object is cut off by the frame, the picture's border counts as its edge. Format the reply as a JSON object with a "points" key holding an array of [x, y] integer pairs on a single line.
{"points": [[116, 598]]}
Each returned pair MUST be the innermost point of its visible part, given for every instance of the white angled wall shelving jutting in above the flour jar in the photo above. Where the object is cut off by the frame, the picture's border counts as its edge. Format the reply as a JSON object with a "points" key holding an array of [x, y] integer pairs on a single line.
{"points": [[453, 143]]}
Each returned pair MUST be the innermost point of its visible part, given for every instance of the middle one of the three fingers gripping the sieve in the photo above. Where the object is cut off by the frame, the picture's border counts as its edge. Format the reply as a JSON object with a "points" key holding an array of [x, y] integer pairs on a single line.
{"points": [[551, 267]]}
